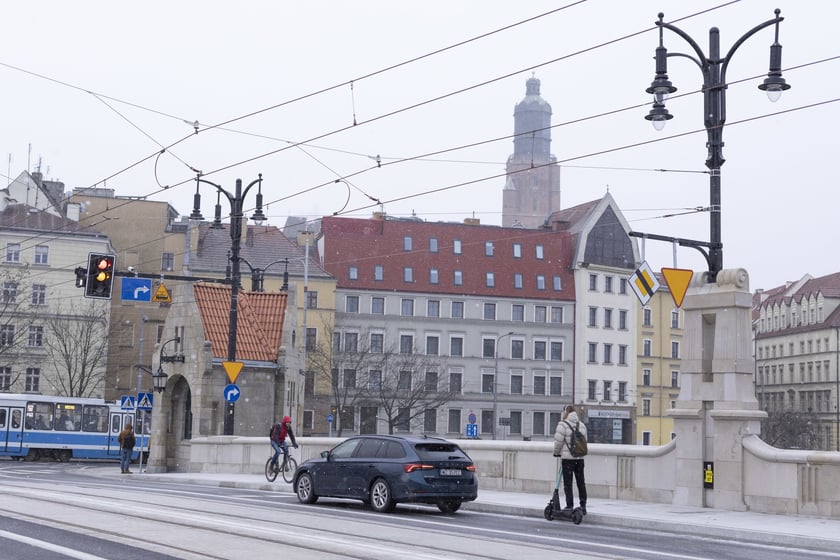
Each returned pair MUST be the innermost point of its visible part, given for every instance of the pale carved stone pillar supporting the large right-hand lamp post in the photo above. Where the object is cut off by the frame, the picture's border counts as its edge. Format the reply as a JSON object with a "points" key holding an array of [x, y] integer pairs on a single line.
{"points": [[717, 406]]}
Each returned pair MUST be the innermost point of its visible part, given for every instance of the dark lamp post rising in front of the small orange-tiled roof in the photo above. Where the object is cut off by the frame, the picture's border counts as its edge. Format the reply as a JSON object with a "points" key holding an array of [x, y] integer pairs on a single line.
{"points": [[236, 215]]}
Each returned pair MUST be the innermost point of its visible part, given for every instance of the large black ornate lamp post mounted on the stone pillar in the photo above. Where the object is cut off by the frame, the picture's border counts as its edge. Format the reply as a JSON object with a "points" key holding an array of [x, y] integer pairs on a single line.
{"points": [[713, 68]]}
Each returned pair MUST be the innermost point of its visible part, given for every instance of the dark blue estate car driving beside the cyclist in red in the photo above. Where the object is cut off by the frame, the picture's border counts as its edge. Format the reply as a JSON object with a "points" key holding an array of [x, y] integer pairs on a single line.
{"points": [[383, 470]]}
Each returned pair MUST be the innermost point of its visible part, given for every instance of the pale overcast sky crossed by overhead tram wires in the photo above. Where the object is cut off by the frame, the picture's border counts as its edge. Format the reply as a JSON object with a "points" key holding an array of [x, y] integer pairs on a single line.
{"points": [[349, 108]]}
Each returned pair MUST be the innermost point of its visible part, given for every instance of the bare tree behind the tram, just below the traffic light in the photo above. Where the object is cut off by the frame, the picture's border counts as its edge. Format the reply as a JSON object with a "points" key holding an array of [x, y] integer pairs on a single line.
{"points": [[76, 340]]}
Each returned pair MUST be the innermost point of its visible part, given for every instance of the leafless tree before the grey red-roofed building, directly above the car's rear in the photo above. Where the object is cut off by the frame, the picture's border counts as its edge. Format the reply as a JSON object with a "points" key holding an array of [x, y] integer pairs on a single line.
{"points": [[410, 387]]}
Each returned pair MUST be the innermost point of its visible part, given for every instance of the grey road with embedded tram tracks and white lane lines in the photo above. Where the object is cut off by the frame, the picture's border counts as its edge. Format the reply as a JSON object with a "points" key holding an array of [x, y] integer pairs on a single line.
{"points": [[57, 511]]}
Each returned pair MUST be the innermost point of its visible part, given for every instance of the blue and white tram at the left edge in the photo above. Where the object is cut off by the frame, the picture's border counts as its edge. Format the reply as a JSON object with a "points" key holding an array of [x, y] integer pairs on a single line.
{"points": [[35, 426]]}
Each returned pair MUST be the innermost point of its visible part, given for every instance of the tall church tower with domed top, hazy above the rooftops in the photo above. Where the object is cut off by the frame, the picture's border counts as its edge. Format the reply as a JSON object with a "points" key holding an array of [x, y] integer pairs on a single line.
{"points": [[532, 187]]}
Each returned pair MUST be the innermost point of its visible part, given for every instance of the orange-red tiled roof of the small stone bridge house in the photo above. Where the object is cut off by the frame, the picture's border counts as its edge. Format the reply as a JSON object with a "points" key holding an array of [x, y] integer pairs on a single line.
{"points": [[259, 321]]}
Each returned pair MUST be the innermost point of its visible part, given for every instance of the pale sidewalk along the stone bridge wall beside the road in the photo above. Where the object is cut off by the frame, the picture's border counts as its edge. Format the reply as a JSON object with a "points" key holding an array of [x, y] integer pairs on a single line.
{"points": [[798, 531]]}
